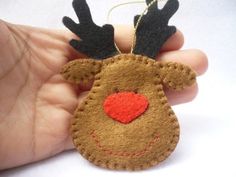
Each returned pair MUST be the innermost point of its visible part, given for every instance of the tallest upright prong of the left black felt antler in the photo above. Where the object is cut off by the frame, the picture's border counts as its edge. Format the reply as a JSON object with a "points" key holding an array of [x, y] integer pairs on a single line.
{"points": [[82, 11]]}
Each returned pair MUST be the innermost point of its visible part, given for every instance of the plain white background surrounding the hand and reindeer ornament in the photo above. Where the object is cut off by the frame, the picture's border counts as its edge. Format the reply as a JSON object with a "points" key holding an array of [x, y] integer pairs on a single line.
{"points": [[208, 124]]}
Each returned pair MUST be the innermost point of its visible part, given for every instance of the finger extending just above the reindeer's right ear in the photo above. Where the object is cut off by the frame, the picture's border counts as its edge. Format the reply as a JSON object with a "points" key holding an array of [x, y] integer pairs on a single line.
{"points": [[196, 59]]}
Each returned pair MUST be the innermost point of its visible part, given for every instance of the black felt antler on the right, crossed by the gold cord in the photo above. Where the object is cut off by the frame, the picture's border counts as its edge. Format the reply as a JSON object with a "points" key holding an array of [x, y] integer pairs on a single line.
{"points": [[153, 30]]}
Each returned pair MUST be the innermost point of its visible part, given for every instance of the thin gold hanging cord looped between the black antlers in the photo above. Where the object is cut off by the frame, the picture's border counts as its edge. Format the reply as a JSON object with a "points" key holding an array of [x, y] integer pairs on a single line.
{"points": [[138, 22]]}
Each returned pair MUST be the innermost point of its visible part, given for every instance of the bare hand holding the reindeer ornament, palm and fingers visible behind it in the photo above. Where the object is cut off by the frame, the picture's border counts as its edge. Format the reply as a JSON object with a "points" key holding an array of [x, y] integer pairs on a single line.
{"points": [[37, 104]]}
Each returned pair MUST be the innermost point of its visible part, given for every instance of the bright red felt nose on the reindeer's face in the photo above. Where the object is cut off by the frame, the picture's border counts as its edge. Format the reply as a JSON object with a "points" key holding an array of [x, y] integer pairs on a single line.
{"points": [[125, 106]]}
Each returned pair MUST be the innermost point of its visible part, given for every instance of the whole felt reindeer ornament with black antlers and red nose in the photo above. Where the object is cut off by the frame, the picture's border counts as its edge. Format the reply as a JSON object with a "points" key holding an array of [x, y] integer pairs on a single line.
{"points": [[125, 122]]}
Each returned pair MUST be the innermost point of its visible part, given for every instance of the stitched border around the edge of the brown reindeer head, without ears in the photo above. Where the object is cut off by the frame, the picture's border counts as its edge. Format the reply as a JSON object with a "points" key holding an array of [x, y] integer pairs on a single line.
{"points": [[173, 141]]}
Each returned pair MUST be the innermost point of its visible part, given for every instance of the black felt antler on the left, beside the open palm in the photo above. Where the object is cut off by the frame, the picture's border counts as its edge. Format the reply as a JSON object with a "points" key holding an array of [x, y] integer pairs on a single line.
{"points": [[95, 41]]}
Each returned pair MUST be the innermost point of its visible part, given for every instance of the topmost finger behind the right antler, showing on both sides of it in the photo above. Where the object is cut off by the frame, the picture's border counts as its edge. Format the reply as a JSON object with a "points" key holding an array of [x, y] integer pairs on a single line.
{"points": [[124, 39]]}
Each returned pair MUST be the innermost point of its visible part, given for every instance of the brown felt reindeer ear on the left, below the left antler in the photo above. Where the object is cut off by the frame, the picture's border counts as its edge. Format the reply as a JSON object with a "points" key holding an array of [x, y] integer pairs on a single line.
{"points": [[81, 70]]}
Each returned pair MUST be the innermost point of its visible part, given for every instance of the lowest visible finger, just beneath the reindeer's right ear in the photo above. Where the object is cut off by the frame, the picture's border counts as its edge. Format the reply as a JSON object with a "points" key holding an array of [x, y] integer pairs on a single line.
{"points": [[180, 97]]}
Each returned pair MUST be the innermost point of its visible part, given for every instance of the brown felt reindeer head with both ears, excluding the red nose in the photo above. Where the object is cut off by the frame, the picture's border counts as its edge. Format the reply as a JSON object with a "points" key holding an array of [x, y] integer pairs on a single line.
{"points": [[147, 140]]}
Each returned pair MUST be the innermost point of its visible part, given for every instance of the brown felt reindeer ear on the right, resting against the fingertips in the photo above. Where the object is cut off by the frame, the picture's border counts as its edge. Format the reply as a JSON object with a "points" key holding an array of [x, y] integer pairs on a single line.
{"points": [[176, 76]]}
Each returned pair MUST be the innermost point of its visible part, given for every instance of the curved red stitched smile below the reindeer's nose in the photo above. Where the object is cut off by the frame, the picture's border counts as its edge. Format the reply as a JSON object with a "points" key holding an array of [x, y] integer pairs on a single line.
{"points": [[139, 153]]}
